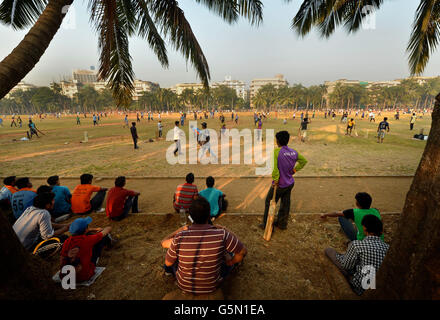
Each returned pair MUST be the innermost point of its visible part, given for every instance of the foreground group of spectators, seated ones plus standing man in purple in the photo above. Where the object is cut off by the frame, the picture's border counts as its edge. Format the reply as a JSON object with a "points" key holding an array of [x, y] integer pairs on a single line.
{"points": [[200, 255]]}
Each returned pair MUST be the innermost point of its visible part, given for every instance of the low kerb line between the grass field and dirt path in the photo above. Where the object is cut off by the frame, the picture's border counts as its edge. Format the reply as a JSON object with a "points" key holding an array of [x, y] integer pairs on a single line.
{"points": [[224, 177]]}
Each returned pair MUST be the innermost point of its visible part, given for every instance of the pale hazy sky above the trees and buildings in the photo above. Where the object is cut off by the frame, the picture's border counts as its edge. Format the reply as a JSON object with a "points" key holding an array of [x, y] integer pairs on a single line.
{"points": [[245, 52]]}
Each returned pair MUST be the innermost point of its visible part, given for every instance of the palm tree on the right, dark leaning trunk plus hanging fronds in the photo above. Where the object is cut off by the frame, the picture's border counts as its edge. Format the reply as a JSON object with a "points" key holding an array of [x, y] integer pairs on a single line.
{"points": [[410, 269]]}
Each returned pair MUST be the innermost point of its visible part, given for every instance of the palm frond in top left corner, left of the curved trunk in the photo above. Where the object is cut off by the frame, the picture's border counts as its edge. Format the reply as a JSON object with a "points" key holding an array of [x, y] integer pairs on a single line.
{"points": [[21, 13]]}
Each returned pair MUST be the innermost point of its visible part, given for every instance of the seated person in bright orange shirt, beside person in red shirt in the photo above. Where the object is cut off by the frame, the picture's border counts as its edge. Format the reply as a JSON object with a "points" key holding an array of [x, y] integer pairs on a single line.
{"points": [[81, 196]]}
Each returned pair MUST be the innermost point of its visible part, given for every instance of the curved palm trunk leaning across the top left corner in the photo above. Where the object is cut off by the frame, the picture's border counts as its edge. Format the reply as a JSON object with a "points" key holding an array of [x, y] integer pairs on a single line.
{"points": [[29, 51]]}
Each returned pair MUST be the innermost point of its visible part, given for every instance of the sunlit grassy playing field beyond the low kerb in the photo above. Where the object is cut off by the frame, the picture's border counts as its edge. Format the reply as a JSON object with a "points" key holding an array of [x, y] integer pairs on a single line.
{"points": [[109, 151]]}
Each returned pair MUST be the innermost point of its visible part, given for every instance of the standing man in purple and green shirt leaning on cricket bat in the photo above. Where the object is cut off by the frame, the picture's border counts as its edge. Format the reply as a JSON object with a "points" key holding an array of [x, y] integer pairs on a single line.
{"points": [[286, 163]]}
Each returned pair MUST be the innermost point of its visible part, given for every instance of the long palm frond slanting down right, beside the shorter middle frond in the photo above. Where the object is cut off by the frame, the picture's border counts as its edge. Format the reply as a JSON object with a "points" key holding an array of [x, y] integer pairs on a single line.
{"points": [[174, 25]]}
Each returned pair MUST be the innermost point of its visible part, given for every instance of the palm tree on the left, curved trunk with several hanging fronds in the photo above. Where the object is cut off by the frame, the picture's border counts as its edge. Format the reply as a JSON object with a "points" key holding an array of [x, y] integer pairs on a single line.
{"points": [[114, 21]]}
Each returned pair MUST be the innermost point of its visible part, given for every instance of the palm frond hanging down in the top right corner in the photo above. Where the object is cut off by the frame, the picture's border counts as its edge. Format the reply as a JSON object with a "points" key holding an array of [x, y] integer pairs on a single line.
{"points": [[425, 35]]}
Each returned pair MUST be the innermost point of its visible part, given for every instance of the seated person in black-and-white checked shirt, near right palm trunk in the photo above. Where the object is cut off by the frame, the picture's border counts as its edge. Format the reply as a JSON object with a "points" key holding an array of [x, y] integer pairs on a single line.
{"points": [[363, 255]]}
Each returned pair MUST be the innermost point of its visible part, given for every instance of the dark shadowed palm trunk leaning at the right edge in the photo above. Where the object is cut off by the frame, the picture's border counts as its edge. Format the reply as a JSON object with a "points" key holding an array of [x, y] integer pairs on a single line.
{"points": [[410, 268]]}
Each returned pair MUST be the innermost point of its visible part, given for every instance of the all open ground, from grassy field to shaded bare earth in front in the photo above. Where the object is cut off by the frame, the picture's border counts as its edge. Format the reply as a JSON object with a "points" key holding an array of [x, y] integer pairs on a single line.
{"points": [[133, 268]]}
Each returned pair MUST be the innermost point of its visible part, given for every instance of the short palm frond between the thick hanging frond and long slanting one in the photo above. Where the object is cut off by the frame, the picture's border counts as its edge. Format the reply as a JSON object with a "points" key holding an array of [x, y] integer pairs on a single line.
{"points": [[147, 30]]}
